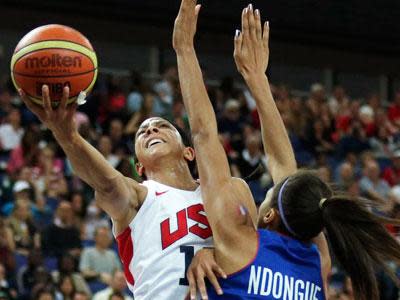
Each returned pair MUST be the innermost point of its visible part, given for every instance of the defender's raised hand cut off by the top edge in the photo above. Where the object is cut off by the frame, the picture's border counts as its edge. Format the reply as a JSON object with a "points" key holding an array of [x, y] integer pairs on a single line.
{"points": [[185, 25]]}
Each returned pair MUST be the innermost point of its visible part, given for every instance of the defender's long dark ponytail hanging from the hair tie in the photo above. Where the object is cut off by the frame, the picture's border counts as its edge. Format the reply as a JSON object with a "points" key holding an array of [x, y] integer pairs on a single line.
{"points": [[360, 242]]}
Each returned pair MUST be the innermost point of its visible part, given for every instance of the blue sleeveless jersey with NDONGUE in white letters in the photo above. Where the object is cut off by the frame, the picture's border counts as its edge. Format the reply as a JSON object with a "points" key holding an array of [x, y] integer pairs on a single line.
{"points": [[284, 268]]}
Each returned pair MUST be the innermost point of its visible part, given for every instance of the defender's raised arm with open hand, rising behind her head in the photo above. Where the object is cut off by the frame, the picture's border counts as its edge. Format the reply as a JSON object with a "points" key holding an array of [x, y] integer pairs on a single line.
{"points": [[251, 56]]}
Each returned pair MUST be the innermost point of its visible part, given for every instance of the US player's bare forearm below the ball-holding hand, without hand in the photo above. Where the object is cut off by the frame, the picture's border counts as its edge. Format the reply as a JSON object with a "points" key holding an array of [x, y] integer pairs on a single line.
{"points": [[87, 162]]}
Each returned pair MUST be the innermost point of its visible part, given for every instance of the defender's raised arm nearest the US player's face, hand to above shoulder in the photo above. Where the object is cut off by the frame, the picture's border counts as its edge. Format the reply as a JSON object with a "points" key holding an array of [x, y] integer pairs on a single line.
{"points": [[203, 123]]}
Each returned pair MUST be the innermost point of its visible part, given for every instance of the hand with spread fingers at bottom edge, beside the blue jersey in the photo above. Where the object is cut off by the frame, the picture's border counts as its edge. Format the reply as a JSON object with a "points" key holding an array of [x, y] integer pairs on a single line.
{"points": [[204, 265]]}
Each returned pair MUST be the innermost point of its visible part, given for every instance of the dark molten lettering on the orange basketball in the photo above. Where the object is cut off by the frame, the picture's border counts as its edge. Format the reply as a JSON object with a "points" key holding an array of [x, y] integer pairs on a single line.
{"points": [[53, 61]]}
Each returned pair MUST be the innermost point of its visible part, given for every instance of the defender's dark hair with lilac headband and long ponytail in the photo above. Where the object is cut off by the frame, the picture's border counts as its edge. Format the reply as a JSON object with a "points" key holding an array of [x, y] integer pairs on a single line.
{"points": [[358, 238]]}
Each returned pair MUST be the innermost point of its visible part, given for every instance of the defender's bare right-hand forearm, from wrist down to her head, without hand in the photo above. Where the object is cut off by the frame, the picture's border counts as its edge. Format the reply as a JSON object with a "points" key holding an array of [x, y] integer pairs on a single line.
{"points": [[281, 159]]}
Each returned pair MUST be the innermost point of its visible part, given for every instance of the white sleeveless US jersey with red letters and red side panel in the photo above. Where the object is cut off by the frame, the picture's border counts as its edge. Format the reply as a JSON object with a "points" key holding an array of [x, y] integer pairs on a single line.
{"points": [[159, 244]]}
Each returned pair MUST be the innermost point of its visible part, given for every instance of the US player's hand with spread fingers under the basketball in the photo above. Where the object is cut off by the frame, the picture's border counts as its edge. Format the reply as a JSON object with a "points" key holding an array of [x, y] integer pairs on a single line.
{"points": [[59, 120]]}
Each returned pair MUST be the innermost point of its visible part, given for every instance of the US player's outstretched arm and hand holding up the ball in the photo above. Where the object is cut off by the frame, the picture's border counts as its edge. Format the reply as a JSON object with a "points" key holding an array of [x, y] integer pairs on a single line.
{"points": [[116, 194]]}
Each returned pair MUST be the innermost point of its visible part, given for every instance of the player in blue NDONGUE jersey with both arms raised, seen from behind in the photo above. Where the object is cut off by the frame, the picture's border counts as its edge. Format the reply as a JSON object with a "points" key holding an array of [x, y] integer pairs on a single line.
{"points": [[280, 260]]}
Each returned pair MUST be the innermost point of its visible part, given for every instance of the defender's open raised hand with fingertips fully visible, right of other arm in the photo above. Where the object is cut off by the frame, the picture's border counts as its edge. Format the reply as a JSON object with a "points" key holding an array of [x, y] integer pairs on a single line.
{"points": [[251, 44]]}
